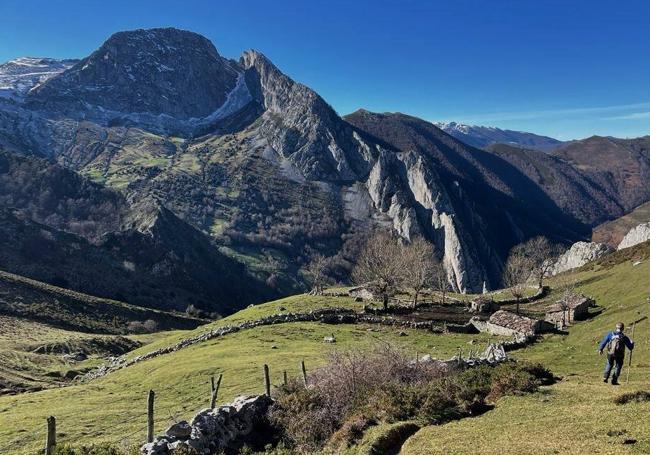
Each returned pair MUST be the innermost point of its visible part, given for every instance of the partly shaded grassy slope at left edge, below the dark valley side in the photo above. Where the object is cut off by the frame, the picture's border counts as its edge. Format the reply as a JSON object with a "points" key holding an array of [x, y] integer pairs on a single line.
{"points": [[40, 323]]}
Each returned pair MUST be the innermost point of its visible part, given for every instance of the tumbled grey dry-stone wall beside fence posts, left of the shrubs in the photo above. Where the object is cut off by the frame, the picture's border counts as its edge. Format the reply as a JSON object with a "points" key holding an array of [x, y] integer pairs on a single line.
{"points": [[224, 429]]}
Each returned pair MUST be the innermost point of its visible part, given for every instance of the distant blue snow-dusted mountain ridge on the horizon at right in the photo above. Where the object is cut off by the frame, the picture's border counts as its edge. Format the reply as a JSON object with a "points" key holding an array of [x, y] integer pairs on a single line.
{"points": [[484, 136]]}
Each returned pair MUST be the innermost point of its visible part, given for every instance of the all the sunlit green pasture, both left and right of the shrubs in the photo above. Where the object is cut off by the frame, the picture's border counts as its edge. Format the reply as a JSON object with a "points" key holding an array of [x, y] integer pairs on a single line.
{"points": [[576, 415]]}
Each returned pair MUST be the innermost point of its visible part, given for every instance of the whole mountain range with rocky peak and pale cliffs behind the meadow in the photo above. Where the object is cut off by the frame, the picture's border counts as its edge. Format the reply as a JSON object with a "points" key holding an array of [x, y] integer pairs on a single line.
{"points": [[191, 179]]}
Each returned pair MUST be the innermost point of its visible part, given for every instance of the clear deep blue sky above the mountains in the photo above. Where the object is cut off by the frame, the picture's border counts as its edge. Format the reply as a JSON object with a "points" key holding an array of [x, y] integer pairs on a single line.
{"points": [[569, 68]]}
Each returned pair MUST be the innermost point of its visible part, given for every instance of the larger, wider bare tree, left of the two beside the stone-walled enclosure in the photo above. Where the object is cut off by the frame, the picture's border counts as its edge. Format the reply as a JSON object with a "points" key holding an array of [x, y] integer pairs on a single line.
{"points": [[380, 266]]}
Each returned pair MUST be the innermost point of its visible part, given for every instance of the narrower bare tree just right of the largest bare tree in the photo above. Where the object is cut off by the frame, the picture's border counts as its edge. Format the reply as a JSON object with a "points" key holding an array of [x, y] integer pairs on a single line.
{"points": [[420, 266]]}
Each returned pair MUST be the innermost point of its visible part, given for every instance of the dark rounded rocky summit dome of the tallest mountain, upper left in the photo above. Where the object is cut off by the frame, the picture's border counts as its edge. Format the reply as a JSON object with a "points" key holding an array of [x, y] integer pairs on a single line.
{"points": [[157, 71]]}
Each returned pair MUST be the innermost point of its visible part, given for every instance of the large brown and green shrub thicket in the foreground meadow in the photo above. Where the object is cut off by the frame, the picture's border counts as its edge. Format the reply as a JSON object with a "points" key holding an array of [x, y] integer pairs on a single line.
{"points": [[358, 389]]}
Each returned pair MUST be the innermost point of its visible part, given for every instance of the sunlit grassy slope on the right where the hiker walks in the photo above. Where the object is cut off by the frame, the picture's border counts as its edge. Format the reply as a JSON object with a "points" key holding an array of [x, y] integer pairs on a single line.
{"points": [[577, 415]]}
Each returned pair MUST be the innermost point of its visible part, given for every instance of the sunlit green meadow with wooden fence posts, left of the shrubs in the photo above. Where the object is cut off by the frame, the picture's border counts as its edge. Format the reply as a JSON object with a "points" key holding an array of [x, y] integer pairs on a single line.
{"points": [[113, 408]]}
